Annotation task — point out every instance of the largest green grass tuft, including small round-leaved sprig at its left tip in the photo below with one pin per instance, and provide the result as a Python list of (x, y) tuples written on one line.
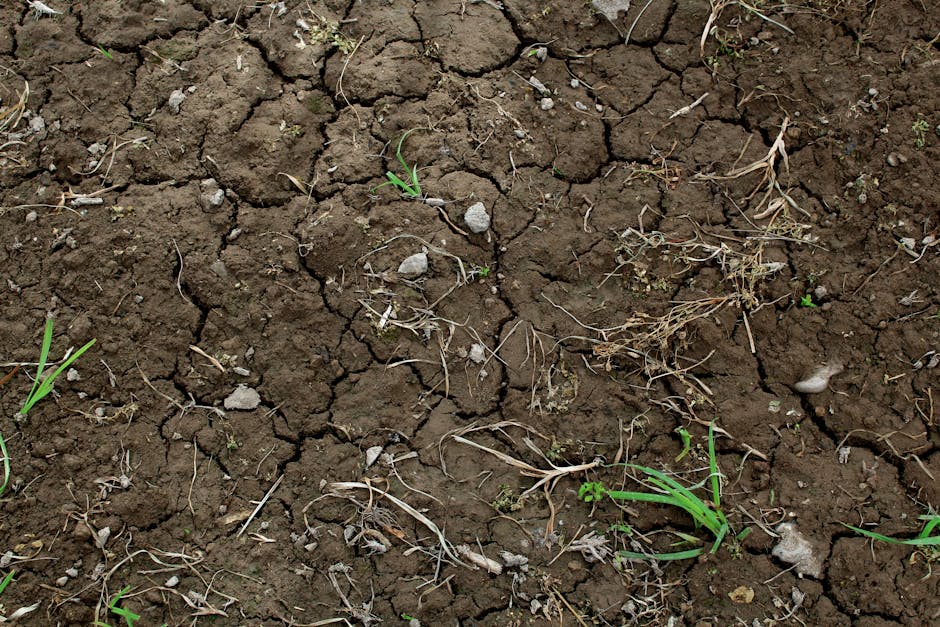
[(705, 513)]
